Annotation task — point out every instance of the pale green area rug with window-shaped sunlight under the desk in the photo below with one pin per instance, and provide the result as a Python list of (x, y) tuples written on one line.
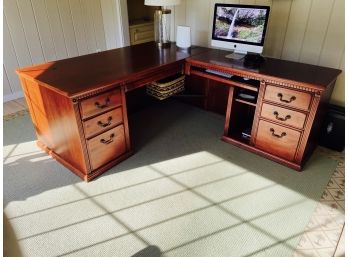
[(184, 192)]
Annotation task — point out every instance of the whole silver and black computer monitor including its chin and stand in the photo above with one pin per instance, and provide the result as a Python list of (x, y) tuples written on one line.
[(241, 28)]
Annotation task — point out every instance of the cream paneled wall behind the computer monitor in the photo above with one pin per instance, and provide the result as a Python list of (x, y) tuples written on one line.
[(308, 31)]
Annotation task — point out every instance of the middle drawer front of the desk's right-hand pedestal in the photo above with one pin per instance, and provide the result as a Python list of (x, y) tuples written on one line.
[(283, 115)]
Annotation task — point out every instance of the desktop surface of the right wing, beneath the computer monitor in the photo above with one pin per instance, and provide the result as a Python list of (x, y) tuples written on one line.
[(314, 76)]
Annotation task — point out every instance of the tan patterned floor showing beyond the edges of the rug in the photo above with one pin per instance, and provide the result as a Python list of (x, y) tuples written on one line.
[(324, 235)]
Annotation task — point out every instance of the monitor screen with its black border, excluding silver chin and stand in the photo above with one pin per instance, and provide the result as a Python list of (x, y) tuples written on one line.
[(240, 23)]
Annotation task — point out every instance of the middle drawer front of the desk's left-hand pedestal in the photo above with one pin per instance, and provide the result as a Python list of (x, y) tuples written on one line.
[(103, 122)]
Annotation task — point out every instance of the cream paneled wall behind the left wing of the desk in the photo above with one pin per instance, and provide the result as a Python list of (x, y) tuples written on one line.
[(37, 31)]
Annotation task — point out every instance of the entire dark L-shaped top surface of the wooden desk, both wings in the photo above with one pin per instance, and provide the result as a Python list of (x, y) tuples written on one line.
[(82, 74)]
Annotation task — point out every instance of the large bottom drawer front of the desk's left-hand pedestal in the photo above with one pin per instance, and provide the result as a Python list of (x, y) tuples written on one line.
[(107, 146)]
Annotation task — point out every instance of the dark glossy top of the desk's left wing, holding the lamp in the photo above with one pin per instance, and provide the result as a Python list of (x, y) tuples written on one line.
[(89, 72)]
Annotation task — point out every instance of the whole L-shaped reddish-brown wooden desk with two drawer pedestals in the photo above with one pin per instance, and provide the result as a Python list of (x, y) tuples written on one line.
[(79, 111)]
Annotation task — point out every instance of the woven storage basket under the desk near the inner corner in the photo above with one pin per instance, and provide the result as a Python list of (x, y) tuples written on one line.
[(167, 87)]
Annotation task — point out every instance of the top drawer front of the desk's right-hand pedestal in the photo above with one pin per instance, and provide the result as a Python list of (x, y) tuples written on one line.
[(288, 97)]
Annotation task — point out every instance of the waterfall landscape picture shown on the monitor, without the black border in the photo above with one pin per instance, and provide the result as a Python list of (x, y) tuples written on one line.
[(243, 24)]
